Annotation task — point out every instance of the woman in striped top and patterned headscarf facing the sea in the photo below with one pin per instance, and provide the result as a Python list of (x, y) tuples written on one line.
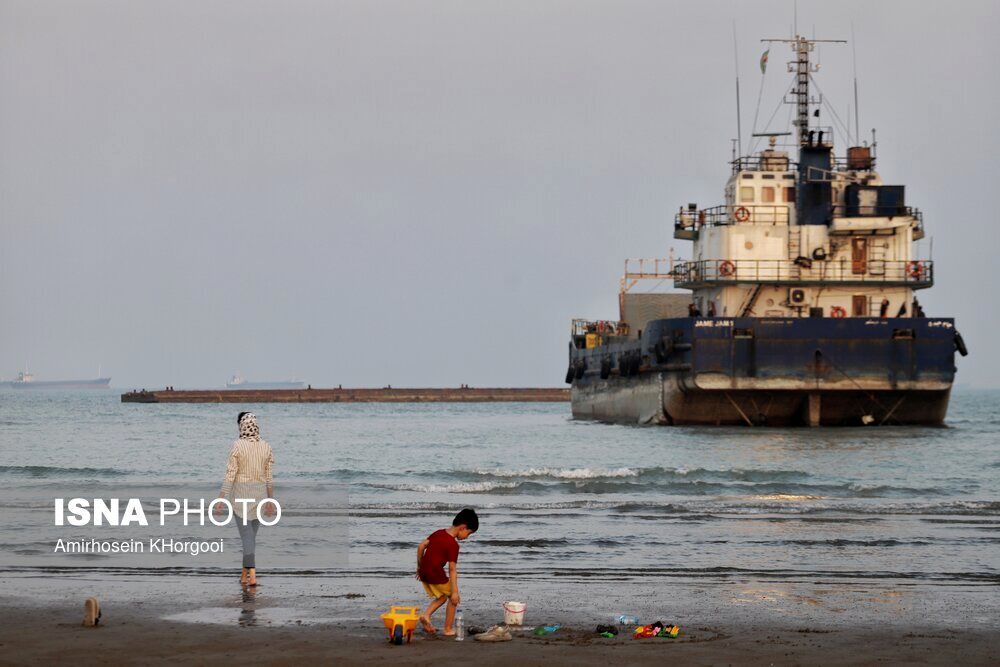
[(248, 475)]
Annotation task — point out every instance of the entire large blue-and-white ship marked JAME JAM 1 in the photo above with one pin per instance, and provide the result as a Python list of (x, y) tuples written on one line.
[(801, 306)]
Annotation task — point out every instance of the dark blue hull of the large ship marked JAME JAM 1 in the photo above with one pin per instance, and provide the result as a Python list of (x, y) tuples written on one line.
[(776, 371)]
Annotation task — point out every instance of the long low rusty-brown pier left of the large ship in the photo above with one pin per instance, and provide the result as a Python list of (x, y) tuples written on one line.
[(339, 395)]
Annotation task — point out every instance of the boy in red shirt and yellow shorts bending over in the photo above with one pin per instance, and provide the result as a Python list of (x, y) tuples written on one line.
[(432, 555)]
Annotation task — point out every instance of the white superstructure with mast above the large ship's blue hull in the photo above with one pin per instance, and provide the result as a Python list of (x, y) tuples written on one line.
[(821, 237)]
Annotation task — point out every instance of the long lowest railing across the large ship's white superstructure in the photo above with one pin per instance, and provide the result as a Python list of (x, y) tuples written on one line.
[(915, 273)]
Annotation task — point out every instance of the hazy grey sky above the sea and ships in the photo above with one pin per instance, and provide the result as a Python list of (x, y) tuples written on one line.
[(425, 192)]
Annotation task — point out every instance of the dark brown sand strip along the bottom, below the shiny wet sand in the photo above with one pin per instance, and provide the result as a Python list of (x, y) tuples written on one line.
[(138, 633)]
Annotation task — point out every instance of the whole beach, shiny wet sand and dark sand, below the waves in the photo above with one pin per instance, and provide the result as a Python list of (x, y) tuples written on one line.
[(289, 620)]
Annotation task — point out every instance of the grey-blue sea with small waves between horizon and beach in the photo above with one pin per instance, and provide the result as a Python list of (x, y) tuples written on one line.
[(570, 511)]
